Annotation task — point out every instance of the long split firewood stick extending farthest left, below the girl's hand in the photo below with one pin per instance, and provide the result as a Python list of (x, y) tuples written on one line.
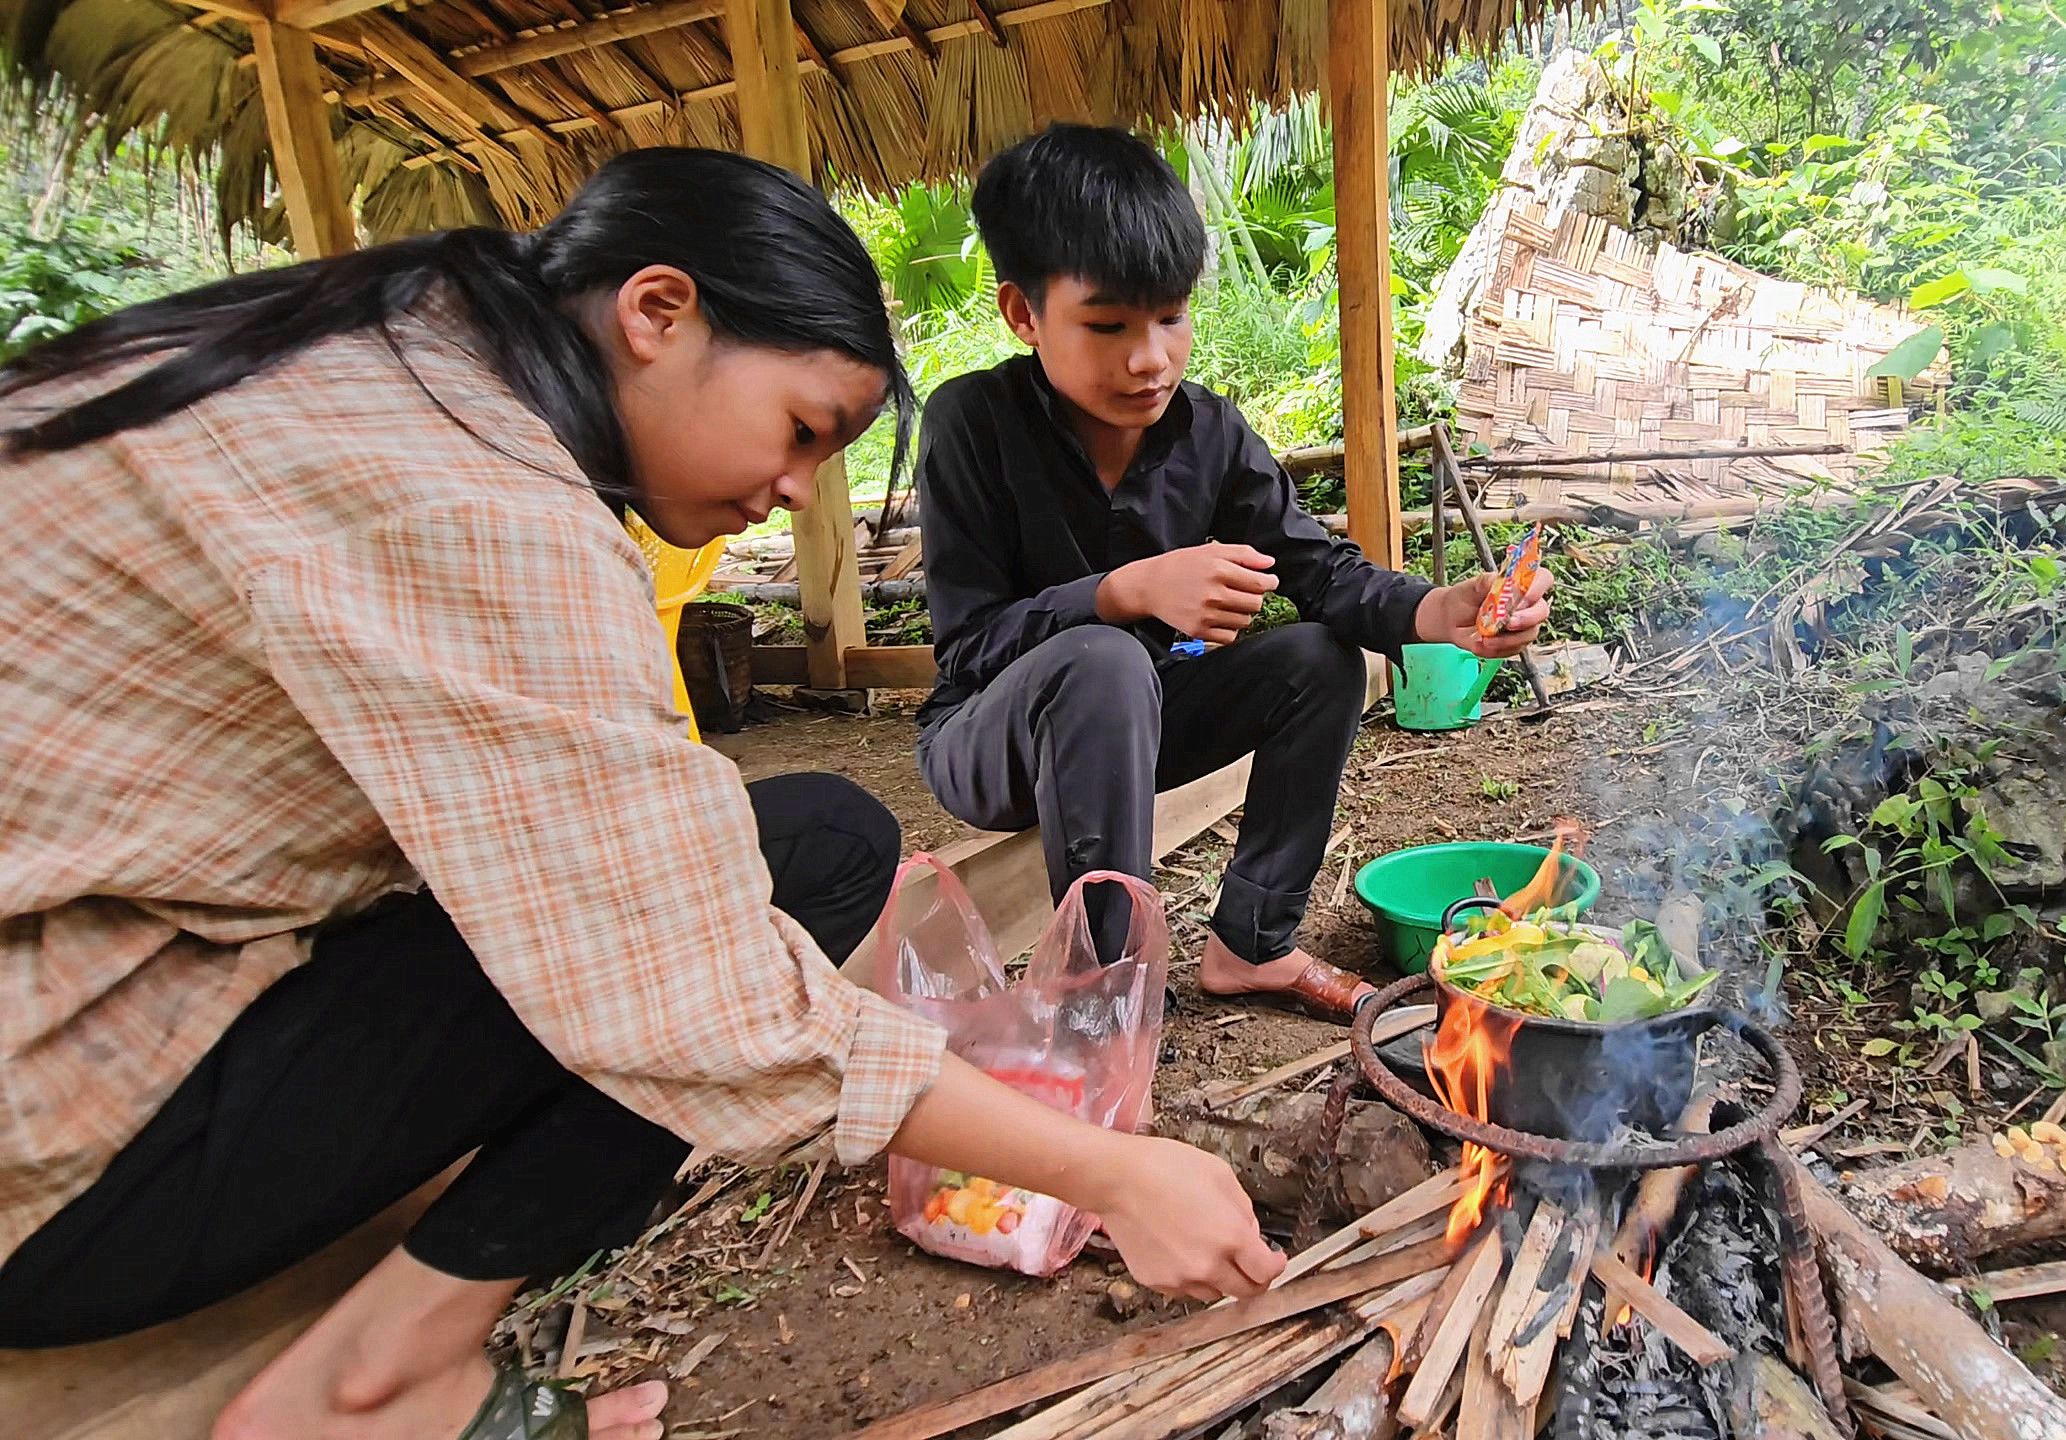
[(1177, 1338)]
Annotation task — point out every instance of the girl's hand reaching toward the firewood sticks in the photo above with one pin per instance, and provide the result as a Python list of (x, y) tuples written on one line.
[(1181, 1220)]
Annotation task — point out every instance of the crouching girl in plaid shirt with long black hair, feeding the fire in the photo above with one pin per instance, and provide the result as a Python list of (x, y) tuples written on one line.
[(348, 834)]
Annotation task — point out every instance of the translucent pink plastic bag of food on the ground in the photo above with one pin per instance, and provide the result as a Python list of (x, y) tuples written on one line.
[(1073, 1034)]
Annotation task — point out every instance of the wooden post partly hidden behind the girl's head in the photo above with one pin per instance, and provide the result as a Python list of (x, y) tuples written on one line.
[(774, 127)]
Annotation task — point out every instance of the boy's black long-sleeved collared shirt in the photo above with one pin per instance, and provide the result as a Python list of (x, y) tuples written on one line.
[(1020, 532)]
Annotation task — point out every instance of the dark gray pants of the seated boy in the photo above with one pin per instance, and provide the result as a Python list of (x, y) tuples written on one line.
[(1084, 730)]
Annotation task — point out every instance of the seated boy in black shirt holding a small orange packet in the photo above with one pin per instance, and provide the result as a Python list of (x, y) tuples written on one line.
[(1086, 511)]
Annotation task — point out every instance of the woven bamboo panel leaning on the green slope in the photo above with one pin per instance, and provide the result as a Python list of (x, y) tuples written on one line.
[(1592, 342)]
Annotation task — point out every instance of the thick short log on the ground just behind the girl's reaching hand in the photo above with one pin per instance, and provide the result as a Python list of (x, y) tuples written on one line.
[(1267, 1141)]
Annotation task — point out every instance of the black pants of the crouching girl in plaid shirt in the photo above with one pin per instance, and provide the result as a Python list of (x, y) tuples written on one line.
[(371, 1069)]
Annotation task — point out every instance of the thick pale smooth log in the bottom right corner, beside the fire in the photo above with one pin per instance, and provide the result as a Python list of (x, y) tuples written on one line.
[(1955, 1369)]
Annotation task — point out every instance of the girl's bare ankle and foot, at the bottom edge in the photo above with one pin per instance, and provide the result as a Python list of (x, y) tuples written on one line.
[(400, 1358)]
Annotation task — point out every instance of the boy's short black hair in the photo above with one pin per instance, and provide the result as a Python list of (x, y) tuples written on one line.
[(1090, 204)]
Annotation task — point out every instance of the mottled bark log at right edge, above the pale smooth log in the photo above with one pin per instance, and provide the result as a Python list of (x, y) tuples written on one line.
[(1949, 1212)]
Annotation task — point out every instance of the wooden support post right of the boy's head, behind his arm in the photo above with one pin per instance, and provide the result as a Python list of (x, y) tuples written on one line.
[(1358, 73)]
